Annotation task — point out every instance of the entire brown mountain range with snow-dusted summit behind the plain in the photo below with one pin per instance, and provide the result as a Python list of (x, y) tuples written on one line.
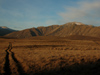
[(68, 29)]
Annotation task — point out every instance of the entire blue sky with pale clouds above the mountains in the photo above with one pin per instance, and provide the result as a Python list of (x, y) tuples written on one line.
[(23, 14)]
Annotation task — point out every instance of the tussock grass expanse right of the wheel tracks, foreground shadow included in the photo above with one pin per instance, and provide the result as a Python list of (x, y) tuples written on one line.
[(57, 57)]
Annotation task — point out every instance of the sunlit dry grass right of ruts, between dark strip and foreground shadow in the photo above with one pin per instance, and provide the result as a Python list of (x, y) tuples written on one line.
[(41, 60)]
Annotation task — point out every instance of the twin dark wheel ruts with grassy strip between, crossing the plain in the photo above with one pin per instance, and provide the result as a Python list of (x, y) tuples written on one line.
[(10, 69)]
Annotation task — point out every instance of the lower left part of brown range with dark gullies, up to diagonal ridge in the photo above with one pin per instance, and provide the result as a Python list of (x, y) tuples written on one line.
[(40, 31)]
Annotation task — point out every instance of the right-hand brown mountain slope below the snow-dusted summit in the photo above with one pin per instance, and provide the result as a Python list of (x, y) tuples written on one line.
[(69, 29)]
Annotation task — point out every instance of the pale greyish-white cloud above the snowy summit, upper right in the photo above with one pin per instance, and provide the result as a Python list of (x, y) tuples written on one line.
[(86, 12)]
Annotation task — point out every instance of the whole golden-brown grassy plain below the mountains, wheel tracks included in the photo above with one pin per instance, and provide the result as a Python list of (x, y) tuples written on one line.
[(49, 56)]
